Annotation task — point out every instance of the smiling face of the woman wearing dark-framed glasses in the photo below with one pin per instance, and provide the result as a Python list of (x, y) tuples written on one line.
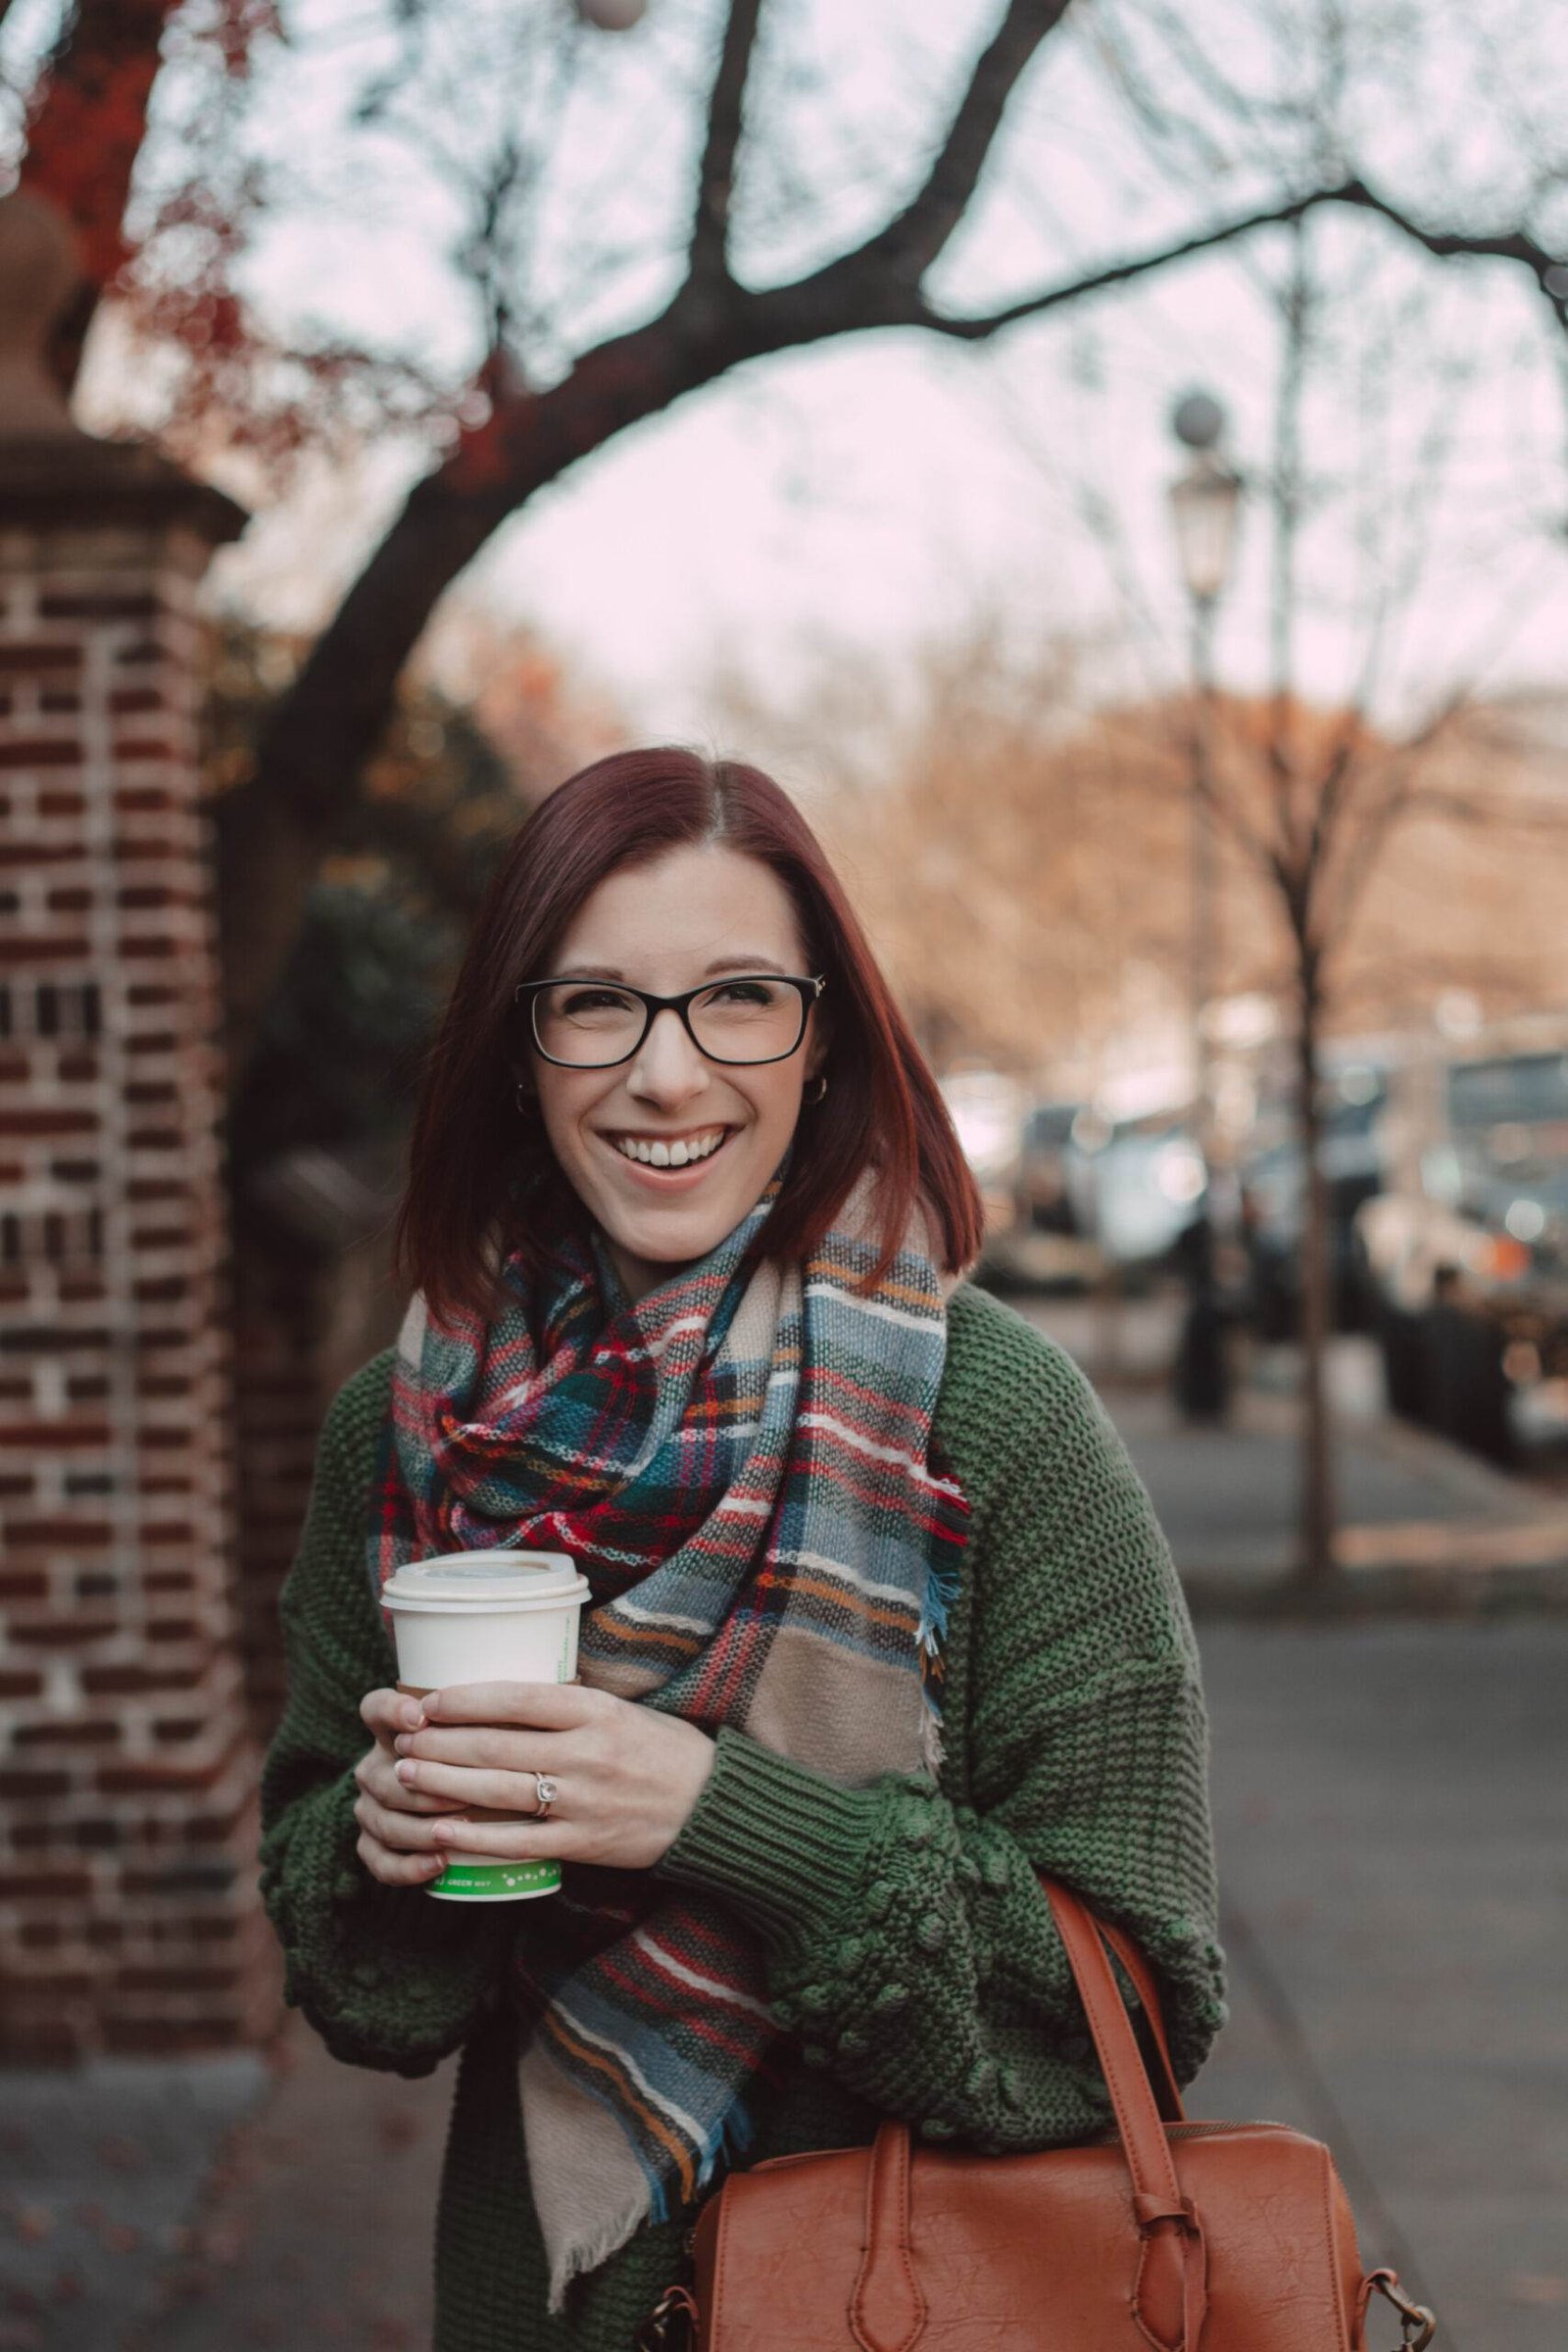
[(671, 926)]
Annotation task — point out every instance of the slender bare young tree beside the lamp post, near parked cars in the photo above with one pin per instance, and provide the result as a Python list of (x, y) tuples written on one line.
[(1311, 801)]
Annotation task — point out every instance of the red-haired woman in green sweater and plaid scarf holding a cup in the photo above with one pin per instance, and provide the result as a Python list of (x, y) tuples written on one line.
[(880, 1619)]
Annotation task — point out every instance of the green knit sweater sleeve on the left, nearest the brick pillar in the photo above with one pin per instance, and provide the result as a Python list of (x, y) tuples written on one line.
[(387, 1977)]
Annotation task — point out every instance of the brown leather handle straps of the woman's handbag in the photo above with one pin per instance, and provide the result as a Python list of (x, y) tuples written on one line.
[(1170, 2294)]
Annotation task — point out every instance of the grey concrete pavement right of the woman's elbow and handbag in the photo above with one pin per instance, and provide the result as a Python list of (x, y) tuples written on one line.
[(1393, 1812)]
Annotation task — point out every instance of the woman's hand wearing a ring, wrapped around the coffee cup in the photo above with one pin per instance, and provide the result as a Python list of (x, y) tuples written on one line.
[(626, 1777)]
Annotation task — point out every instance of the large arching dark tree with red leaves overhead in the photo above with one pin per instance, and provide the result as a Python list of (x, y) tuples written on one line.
[(610, 267)]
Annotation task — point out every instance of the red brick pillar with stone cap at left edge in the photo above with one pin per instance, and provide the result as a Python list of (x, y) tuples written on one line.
[(128, 1911)]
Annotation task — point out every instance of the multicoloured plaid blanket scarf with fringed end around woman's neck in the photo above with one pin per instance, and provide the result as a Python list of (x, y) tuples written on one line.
[(742, 1466)]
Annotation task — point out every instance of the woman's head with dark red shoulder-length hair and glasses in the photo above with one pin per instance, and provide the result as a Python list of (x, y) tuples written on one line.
[(659, 876)]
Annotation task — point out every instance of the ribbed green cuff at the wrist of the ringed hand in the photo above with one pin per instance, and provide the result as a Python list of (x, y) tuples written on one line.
[(775, 1840)]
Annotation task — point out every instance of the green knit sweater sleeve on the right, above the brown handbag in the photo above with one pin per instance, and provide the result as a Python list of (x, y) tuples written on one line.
[(909, 1939)]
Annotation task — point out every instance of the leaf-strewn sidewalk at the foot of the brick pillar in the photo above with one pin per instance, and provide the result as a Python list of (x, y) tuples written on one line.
[(220, 2205)]
